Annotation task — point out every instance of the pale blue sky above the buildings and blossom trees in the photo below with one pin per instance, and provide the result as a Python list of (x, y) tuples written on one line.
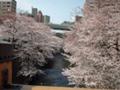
[(58, 10)]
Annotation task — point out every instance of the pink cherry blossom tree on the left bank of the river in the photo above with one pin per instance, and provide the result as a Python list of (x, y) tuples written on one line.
[(33, 43)]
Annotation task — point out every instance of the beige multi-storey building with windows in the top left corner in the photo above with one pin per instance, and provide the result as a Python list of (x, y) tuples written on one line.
[(7, 6)]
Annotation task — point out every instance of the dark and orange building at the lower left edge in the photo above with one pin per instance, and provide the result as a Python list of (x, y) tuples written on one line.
[(6, 64)]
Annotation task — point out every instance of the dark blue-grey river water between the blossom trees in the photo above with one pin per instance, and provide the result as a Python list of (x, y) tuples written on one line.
[(54, 76)]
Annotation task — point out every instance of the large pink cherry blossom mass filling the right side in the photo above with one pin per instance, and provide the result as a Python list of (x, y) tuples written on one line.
[(95, 46)]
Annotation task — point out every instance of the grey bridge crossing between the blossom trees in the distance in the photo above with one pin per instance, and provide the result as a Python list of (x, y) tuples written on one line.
[(60, 27)]
